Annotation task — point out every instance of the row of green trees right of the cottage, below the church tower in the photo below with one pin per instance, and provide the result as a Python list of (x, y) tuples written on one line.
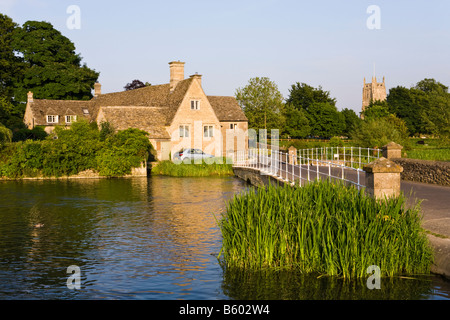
[(312, 112)]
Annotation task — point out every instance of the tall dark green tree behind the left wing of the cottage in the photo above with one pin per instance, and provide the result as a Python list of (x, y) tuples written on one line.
[(52, 68)]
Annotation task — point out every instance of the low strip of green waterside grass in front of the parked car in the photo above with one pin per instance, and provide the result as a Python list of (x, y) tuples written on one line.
[(168, 168)]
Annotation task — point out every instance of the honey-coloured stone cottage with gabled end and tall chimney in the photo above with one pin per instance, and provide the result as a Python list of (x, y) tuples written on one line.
[(176, 115)]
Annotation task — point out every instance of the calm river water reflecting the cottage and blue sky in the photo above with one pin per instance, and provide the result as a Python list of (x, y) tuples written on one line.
[(147, 238)]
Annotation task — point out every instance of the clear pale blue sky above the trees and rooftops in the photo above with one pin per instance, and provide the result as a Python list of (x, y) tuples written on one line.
[(321, 42)]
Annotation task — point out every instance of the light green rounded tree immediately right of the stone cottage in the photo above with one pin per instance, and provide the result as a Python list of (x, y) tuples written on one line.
[(262, 103)]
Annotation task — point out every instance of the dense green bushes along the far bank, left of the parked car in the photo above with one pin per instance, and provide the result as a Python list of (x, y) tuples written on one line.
[(68, 152)]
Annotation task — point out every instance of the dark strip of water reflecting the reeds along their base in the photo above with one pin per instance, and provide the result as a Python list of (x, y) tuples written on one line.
[(288, 285)]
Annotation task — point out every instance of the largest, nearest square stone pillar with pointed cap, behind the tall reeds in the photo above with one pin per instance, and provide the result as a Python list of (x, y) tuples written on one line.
[(383, 178)]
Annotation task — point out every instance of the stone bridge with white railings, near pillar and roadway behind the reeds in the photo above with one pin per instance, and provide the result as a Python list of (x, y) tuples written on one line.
[(262, 165)]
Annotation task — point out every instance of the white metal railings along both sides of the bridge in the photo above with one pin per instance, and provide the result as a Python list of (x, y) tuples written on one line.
[(299, 167)]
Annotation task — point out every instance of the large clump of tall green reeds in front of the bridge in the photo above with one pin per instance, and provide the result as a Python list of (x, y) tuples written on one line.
[(324, 228)]
